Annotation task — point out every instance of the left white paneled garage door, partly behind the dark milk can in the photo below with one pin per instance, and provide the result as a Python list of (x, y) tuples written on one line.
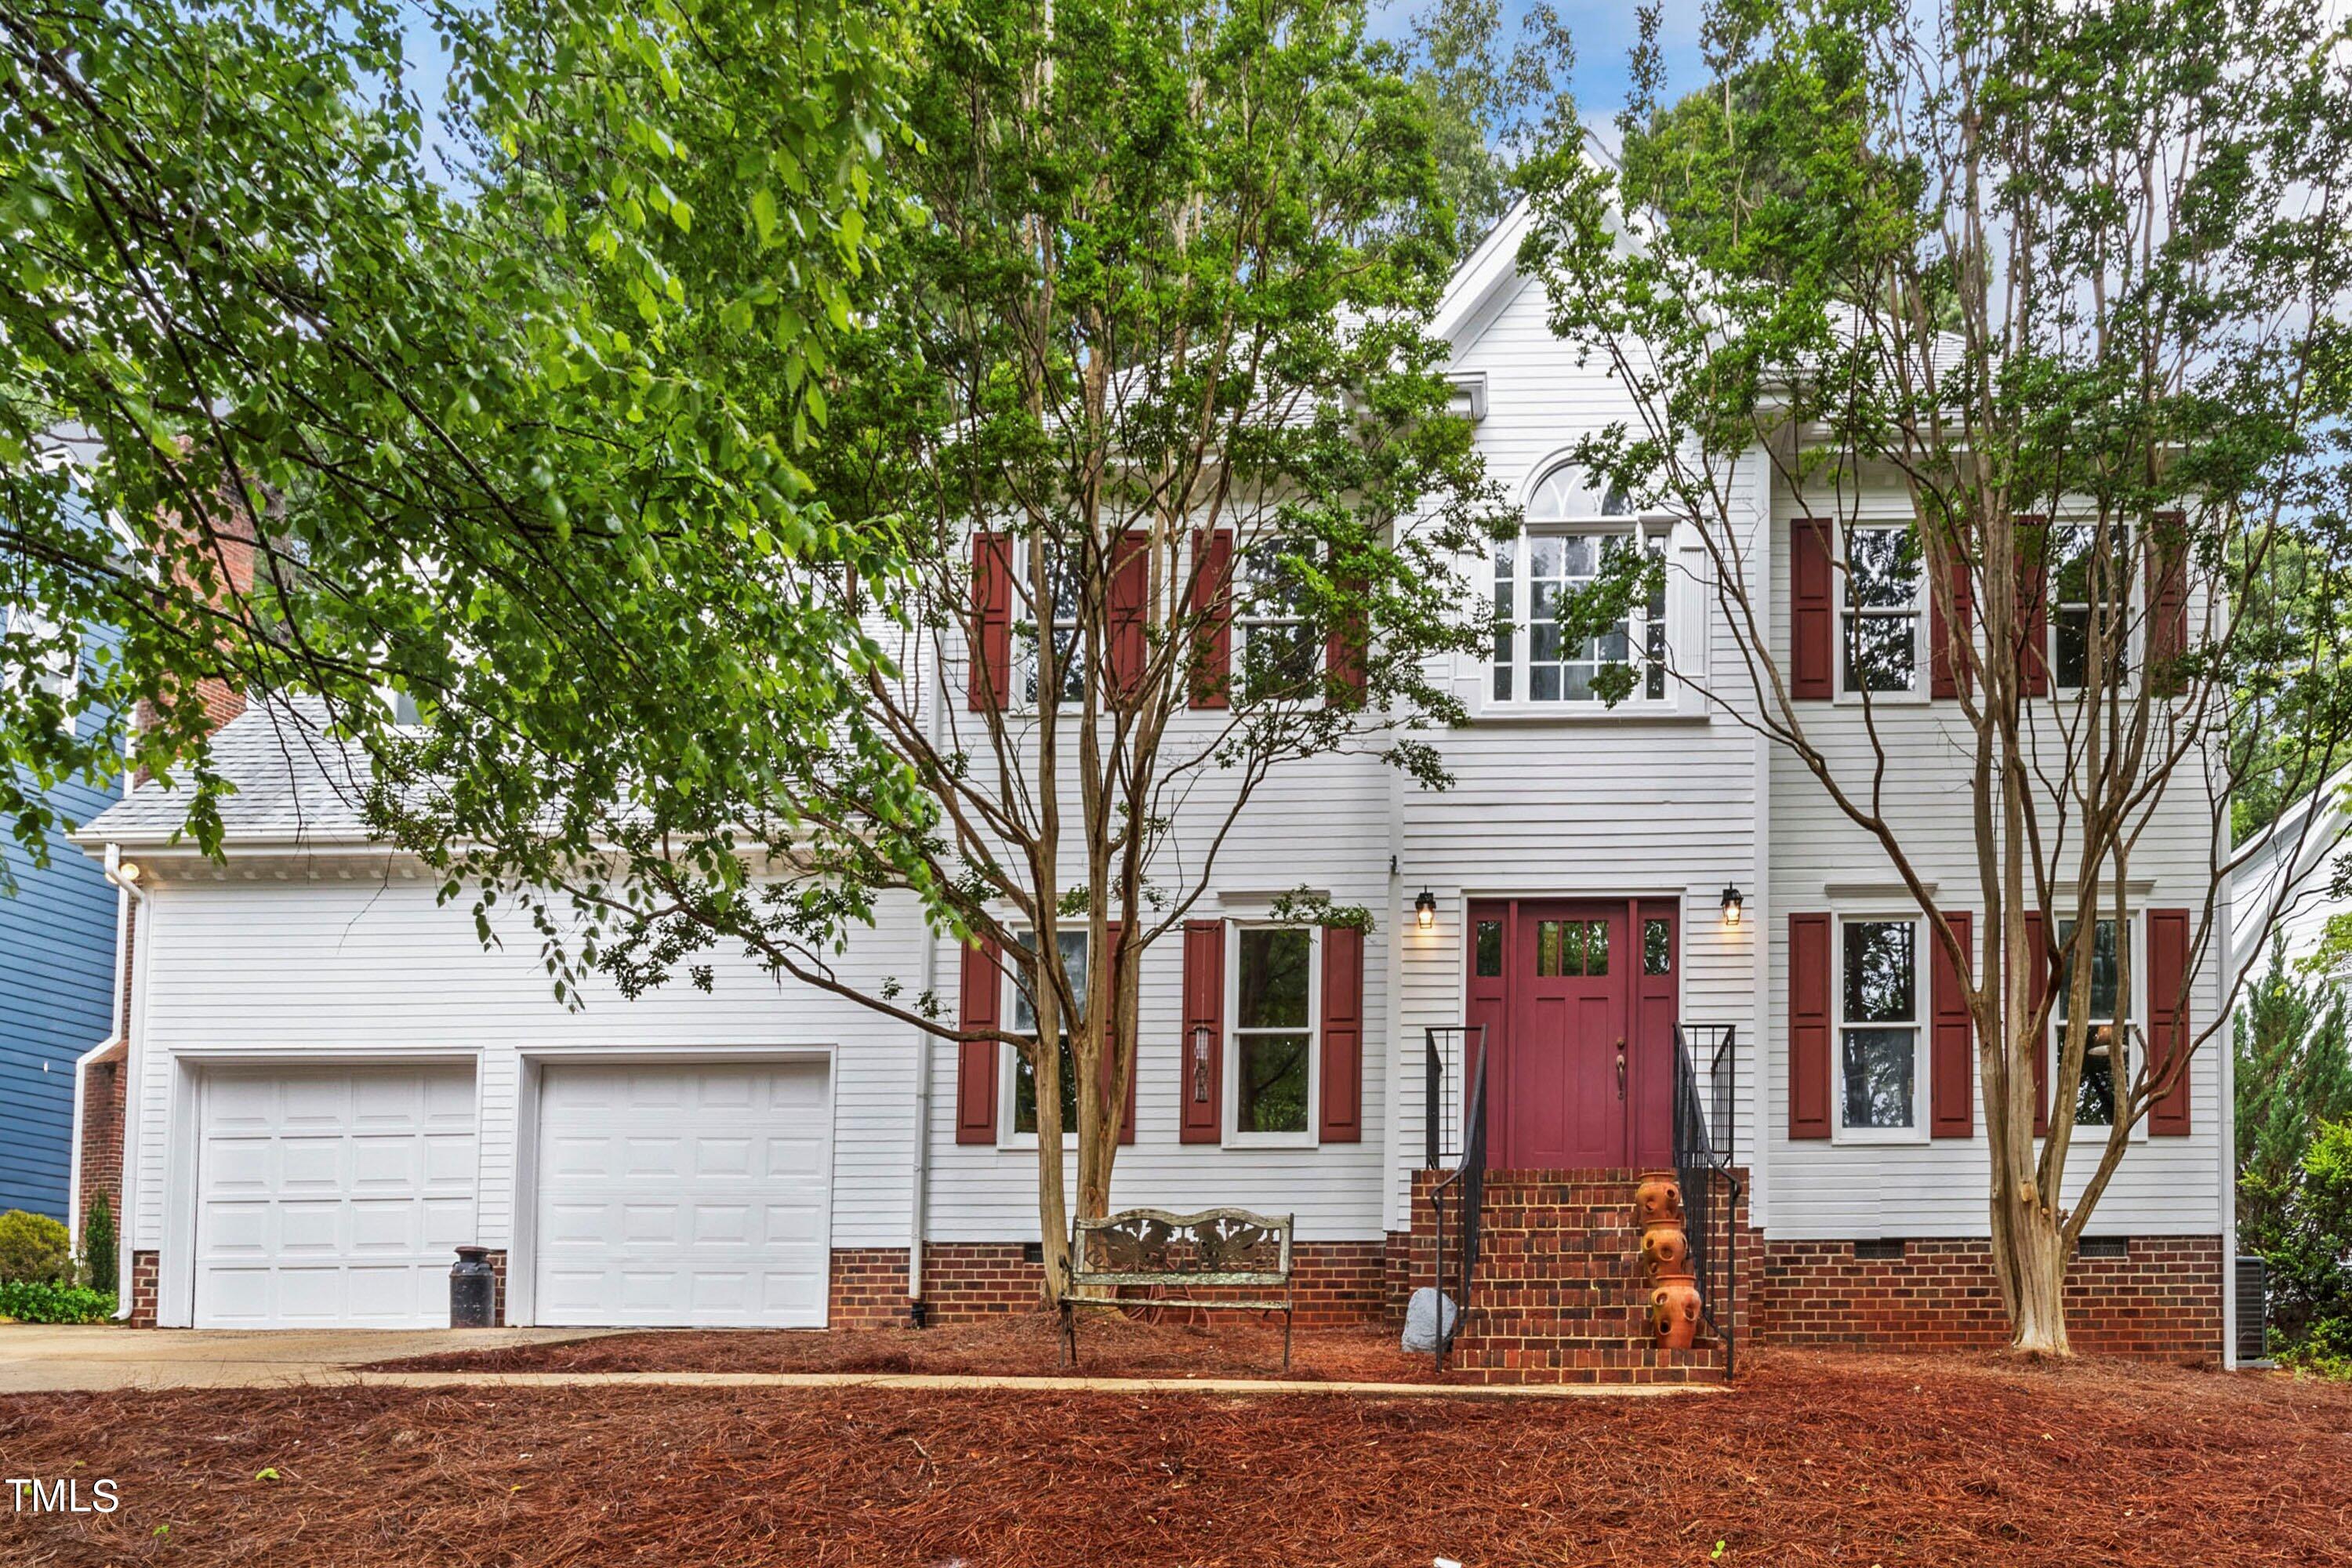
[(333, 1198)]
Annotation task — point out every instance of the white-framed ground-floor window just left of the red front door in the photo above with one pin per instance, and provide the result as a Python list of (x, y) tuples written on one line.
[(1274, 1005)]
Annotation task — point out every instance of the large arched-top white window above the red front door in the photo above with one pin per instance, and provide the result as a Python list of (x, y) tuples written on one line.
[(1572, 535)]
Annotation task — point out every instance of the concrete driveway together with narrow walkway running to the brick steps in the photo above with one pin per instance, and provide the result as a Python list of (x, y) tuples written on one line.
[(53, 1360)]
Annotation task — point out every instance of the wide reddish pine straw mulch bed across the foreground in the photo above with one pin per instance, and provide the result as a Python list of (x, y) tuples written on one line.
[(1812, 1461)]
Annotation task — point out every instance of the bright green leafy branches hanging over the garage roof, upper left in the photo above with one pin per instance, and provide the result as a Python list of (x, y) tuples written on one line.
[(286, 413)]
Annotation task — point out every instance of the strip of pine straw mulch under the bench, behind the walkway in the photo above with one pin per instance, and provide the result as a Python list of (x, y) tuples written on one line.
[(1020, 1346)]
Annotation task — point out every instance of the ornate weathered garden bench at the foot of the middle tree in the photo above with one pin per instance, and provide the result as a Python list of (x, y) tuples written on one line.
[(1217, 1249)]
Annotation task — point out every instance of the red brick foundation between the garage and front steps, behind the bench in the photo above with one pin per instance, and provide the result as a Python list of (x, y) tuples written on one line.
[(1337, 1285)]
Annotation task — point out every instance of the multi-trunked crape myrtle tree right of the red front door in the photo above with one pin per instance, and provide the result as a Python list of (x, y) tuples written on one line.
[(2071, 281)]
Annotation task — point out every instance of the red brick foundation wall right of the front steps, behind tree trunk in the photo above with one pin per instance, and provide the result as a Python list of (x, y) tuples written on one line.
[(2163, 1304)]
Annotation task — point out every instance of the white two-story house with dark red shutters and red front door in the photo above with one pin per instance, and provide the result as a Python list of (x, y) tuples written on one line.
[(333, 1083)]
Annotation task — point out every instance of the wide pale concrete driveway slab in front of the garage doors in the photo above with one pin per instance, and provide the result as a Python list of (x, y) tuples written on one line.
[(41, 1360)]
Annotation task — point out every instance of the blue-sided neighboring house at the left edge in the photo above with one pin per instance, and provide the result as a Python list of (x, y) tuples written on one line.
[(58, 972)]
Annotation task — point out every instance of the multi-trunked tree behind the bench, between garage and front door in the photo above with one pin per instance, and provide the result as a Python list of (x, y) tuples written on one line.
[(1144, 406)]
